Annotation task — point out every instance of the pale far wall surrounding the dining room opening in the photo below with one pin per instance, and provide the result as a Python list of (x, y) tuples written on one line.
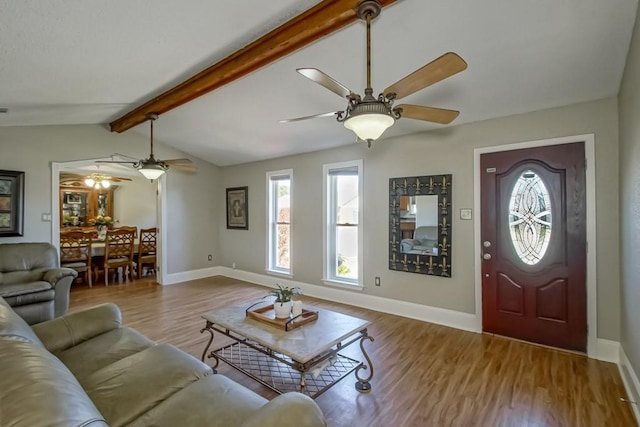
[(192, 198)]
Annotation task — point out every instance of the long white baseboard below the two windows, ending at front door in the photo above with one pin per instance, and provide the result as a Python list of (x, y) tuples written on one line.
[(440, 316)]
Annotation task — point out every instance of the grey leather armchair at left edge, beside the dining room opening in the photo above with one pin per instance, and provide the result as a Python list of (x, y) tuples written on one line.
[(32, 282)]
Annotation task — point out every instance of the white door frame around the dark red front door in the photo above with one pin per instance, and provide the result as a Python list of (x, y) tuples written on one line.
[(589, 151)]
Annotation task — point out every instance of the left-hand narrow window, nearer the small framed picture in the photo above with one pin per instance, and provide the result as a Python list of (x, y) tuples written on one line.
[(279, 221)]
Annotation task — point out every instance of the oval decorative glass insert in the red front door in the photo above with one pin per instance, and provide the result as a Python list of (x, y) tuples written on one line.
[(530, 217)]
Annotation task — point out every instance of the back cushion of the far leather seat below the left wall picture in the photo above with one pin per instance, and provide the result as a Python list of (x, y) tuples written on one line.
[(26, 262)]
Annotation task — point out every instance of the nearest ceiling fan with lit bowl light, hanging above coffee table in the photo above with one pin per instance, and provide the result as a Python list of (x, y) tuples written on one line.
[(369, 117)]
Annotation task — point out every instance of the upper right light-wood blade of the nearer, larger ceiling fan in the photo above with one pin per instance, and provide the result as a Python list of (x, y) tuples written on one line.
[(439, 69)]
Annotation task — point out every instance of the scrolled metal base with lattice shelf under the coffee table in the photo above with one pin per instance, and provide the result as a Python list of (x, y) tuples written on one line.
[(281, 374)]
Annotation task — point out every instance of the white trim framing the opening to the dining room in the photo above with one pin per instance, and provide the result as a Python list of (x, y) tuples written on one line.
[(161, 208)]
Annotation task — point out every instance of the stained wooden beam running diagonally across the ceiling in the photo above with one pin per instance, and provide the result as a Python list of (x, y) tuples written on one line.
[(321, 20)]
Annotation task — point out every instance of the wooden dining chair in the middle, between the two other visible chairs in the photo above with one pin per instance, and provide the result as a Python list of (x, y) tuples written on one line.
[(119, 250)]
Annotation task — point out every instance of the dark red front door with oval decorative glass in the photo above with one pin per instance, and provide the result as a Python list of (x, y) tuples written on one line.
[(534, 245)]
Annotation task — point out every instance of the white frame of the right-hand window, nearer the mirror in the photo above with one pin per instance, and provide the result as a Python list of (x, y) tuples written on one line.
[(329, 225)]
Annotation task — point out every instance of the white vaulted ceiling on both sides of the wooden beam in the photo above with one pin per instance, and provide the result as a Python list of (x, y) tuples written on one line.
[(90, 61)]
